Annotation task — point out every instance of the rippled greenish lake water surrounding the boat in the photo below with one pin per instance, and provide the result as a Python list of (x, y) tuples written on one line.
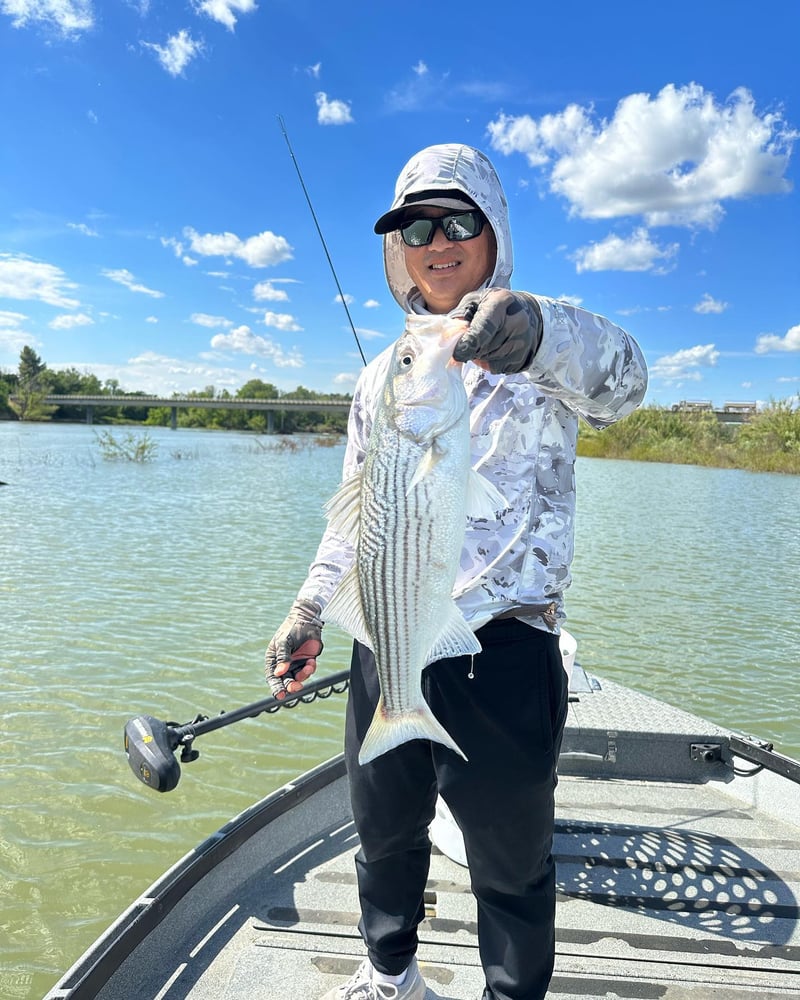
[(130, 588)]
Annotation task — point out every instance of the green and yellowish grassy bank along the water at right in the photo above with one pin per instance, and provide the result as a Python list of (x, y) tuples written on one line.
[(768, 442)]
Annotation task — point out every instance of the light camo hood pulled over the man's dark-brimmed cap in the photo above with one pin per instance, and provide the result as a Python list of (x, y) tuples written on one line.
[(452, 169)]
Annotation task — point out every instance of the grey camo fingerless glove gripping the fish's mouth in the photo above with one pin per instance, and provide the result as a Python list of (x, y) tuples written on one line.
[(505, 329)]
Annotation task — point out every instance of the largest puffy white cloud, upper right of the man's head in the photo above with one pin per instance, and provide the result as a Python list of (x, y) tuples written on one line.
[(673, 159)]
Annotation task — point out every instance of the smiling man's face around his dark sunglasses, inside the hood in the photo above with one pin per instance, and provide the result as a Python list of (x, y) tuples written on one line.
[(445, 271)]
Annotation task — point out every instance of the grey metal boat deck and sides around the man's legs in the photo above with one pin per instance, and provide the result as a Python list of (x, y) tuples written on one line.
[(675, 889)]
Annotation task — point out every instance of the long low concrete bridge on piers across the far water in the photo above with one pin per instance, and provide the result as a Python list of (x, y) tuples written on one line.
[(175, 403)]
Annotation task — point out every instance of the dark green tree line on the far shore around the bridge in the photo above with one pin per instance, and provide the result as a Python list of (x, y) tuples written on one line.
[(34, 381)]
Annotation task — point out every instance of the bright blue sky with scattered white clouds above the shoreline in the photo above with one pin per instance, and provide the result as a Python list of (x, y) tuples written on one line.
[(153, 229)]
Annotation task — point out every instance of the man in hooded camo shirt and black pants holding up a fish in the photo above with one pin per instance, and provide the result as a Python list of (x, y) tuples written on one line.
[(533, 366)]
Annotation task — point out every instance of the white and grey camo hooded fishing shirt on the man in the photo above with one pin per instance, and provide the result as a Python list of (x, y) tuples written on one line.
[(524, 427)]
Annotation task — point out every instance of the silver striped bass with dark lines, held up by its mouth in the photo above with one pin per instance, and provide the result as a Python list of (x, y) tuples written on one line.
[(405, 513)]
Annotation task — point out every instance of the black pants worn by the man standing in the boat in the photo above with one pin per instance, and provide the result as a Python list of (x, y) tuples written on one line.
[(508, 720)]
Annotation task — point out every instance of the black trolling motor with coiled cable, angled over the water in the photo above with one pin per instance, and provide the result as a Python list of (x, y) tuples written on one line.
[(150, 743)]
